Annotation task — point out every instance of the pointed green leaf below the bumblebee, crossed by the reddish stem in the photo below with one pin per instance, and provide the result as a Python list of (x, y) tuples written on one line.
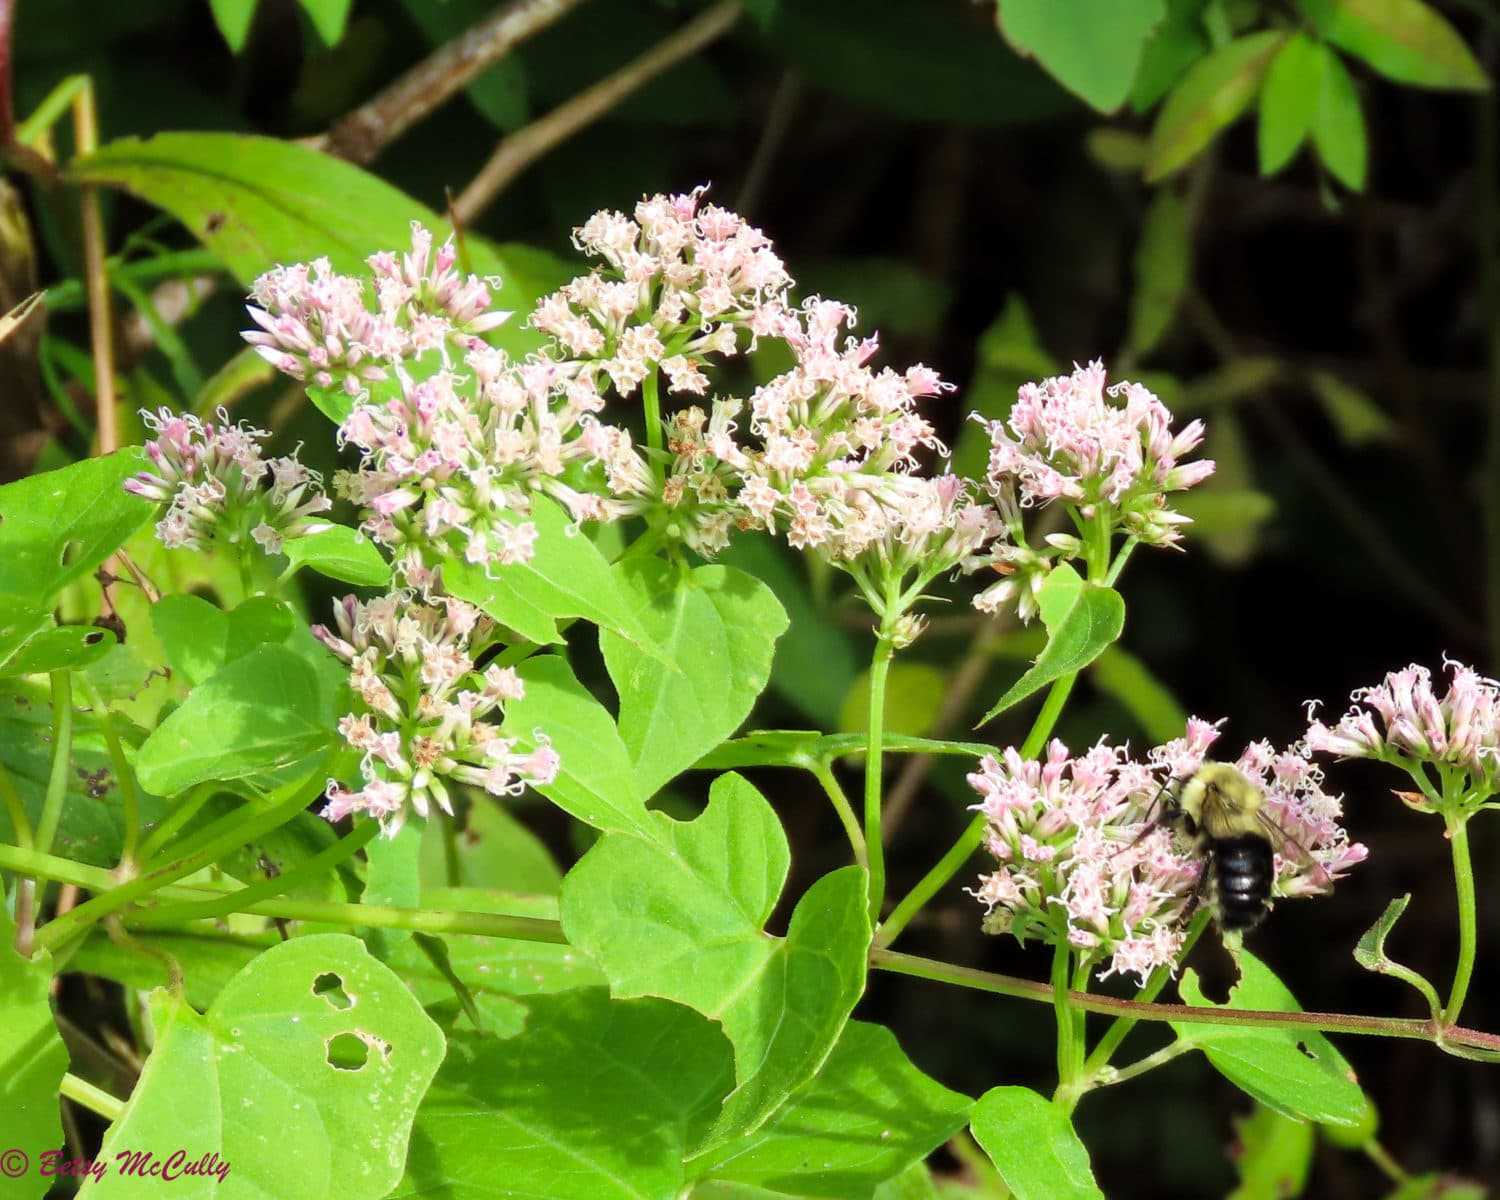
[(1294, 1070)]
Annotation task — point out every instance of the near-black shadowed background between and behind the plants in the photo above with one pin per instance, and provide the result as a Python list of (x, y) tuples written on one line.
[(931, 178)]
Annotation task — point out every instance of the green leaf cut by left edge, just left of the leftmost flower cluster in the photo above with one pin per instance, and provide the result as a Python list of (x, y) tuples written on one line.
[(59, 526)]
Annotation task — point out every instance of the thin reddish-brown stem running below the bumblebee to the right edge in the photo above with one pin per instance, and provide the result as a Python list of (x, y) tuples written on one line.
[(1453, 1039)]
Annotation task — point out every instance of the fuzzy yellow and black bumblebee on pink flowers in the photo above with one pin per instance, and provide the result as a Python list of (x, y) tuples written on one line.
[(1220, 809)]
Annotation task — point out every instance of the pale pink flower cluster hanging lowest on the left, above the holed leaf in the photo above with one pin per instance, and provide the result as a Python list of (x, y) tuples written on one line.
[(425, 712)]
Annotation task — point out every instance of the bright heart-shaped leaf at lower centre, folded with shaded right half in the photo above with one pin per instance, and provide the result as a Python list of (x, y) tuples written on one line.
[(679, 911)]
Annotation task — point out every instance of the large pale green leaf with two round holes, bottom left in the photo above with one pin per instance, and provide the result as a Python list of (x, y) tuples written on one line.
[(301, 1081)]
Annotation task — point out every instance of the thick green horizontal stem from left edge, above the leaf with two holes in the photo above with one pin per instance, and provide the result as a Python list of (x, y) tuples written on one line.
[(485, 925)]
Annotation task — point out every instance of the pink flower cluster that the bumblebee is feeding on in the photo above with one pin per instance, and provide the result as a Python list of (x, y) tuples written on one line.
[(1085, 863)]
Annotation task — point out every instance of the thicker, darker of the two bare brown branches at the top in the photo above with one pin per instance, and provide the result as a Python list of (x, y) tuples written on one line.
[(361, 136)]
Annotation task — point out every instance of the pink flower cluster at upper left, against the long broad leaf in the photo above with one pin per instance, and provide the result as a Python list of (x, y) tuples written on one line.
[(317, 326)]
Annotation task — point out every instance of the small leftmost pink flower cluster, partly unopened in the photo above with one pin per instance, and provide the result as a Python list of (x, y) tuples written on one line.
[(220, 488)]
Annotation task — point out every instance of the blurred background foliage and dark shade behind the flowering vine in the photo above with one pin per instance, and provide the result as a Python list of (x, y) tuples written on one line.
[(1283, 217)]
